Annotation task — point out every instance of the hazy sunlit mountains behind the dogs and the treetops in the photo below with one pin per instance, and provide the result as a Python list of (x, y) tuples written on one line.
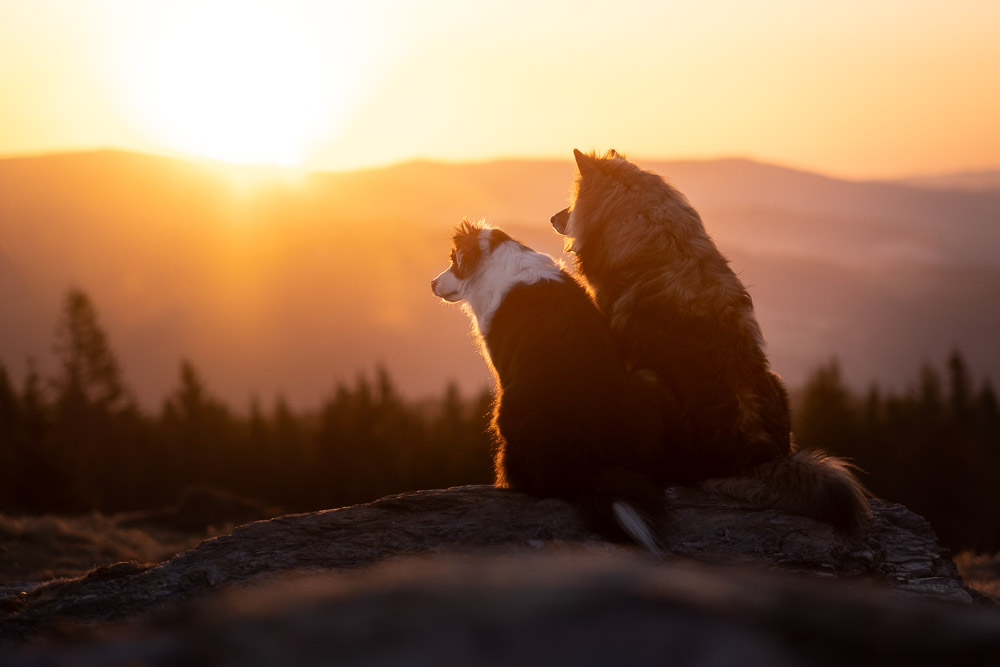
[(269, 282)]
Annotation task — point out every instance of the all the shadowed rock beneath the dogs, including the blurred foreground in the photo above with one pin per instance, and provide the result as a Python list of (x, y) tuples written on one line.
[(296, 584)]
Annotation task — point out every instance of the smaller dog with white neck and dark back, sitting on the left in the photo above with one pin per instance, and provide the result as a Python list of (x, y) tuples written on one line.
[(570, 421)]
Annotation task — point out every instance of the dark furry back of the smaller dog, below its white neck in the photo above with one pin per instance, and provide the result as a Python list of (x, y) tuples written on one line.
[(565, 406)]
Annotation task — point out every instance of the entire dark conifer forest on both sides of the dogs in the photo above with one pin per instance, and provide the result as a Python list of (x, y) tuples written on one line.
[(80, 442)]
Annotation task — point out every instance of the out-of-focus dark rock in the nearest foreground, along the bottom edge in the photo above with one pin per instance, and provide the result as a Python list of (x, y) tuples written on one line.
[(570, 606)]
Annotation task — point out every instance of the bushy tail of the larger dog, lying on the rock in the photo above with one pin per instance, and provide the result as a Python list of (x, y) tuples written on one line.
[(808, 482)]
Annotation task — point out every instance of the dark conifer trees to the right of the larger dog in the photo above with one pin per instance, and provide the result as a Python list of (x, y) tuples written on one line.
[(934, 447)]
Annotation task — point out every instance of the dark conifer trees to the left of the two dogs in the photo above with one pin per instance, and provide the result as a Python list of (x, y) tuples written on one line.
[(78, 441)]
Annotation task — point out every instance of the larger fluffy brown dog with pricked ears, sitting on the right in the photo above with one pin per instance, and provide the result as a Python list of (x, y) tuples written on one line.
[(677, 309)]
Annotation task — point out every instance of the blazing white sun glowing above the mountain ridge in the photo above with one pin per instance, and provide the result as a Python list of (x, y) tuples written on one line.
[(244, 82)]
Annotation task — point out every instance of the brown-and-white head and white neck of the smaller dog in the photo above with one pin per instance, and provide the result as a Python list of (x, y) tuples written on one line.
[(485, 263)]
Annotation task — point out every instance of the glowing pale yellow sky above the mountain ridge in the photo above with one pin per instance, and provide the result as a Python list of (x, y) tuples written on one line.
[(854, 89)]
